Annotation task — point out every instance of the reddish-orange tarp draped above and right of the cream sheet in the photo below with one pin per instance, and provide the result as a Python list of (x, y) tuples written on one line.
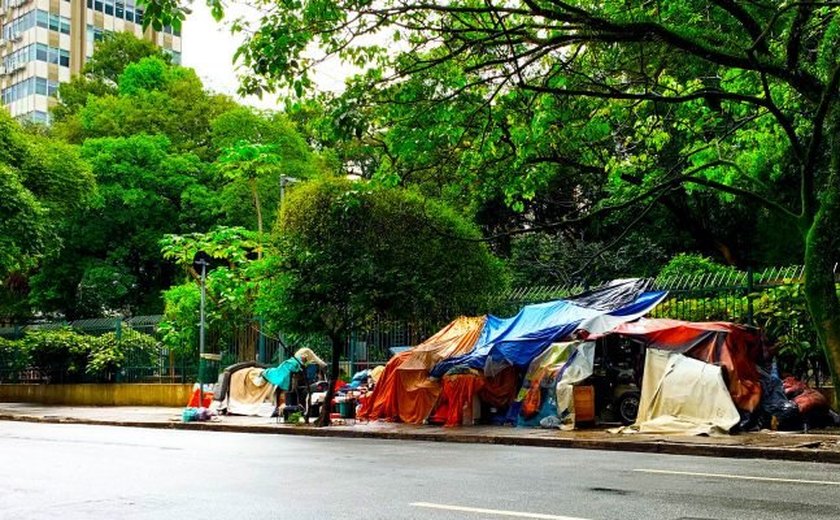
[(737, 348)]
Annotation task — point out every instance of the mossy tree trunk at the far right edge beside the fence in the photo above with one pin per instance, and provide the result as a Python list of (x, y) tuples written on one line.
[(821, 245)]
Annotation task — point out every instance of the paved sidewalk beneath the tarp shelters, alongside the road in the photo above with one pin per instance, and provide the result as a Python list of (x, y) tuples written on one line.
[(813, 447)]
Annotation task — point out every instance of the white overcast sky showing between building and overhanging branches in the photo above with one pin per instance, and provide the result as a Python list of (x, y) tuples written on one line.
[(208, 47)]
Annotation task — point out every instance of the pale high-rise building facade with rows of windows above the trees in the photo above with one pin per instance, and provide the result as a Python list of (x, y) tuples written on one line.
[(46, 42)]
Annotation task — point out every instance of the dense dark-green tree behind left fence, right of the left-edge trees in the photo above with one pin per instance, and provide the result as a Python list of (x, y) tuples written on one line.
[(111, 257)]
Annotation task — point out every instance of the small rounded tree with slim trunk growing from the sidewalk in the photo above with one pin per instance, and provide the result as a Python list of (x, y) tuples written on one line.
[(345, 251)]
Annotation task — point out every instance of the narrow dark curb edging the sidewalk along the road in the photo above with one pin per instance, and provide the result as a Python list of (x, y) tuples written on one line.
[(658, 446)]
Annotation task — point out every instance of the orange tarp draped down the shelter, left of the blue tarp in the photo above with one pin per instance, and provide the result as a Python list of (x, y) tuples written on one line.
[(404, 391)]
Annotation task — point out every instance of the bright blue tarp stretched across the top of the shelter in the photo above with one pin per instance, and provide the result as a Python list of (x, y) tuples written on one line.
[(518, 340)]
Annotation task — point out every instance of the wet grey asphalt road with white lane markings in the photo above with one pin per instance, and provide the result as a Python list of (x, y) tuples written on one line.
[(91, 472)]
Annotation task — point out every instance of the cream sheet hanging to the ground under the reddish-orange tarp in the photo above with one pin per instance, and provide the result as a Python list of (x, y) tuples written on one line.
[(681, 395)]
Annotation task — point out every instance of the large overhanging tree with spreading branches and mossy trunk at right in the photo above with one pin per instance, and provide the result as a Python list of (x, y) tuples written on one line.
[(754, 84)]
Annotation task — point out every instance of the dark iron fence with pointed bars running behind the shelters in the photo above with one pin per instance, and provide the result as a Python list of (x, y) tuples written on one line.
[(731, 295)]
